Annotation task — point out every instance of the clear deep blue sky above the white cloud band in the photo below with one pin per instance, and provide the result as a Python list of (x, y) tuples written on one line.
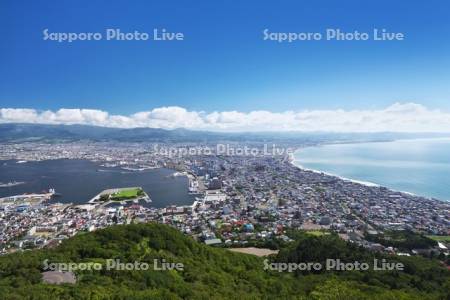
[(223, 64)]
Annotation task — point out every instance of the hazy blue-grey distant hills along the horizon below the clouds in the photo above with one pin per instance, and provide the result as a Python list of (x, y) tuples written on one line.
[(13, 132)]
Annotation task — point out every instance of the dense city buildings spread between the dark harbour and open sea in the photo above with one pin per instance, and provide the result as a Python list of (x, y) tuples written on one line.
[(246, 198)]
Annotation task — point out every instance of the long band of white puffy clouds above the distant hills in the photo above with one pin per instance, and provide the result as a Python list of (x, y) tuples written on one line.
[(399, 117)]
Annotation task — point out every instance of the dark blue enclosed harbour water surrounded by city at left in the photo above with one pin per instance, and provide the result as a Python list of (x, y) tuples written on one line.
[(78, 181)]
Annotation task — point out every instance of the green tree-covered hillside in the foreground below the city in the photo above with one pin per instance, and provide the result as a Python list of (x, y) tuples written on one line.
[(211, 273)]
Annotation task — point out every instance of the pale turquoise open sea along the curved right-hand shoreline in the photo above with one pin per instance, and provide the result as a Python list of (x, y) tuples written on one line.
[(420, 166)]
